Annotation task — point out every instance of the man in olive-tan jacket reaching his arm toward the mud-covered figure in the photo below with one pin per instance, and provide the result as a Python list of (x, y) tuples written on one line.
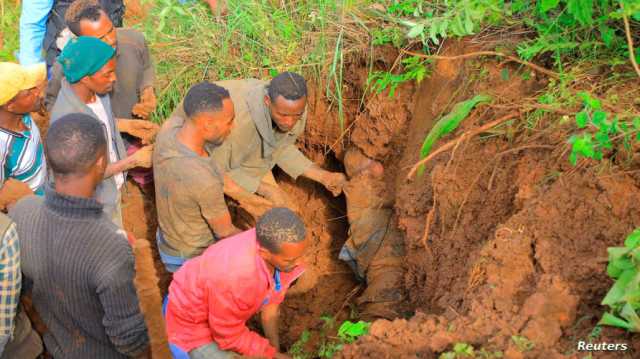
[(270, 116)]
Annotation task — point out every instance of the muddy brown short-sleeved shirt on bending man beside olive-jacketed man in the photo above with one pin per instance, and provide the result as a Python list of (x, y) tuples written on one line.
[(189, 190)]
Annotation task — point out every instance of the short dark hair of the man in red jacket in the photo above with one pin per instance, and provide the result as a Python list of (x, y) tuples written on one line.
[(279, 225)]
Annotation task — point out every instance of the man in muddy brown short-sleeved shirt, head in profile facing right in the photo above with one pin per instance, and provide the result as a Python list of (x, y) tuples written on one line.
[(192, 212)]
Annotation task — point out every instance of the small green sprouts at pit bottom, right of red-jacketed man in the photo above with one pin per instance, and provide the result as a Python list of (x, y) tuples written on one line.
[(348, 332)]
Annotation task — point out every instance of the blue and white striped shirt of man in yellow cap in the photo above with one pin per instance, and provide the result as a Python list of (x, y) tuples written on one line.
[(22, 156)]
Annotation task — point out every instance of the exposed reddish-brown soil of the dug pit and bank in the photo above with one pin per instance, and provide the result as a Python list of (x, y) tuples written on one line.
[(505, 241)]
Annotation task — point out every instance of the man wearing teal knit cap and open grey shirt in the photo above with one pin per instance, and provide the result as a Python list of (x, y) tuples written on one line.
[(89, 66)]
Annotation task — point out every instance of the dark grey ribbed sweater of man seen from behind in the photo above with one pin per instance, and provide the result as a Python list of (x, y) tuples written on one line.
[(81, 268)]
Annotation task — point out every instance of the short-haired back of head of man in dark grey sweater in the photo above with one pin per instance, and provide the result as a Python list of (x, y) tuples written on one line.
[(73, 144)]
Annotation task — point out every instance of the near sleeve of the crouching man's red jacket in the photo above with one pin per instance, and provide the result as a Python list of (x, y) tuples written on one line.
[(228, 314)]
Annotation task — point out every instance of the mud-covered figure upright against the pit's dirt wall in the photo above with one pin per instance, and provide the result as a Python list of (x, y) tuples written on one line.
[(374, 249)]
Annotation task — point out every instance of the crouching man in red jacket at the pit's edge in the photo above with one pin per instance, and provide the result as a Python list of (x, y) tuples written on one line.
[(213, 295)]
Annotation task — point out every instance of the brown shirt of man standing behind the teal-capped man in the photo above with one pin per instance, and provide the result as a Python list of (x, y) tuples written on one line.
[(134, 73)]
